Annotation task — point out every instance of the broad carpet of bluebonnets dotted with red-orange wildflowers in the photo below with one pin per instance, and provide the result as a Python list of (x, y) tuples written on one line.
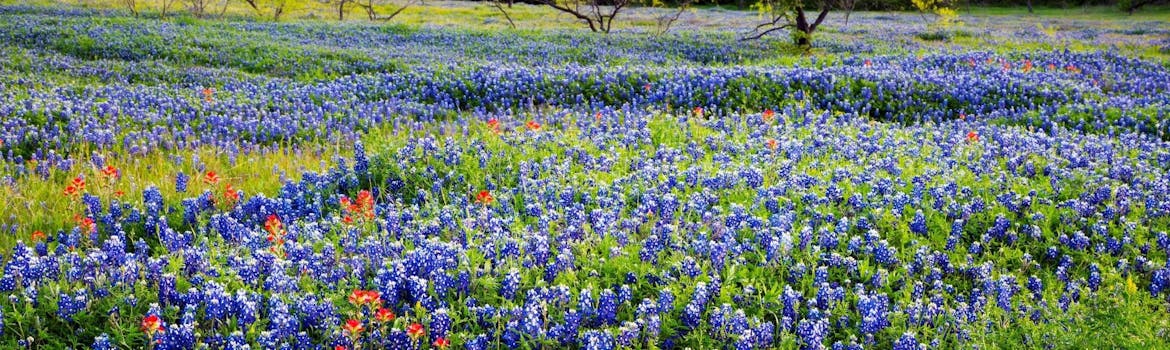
[(683, 198)]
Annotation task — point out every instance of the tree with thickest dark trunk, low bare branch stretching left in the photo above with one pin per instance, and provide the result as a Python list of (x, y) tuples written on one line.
[(790, 15)]
